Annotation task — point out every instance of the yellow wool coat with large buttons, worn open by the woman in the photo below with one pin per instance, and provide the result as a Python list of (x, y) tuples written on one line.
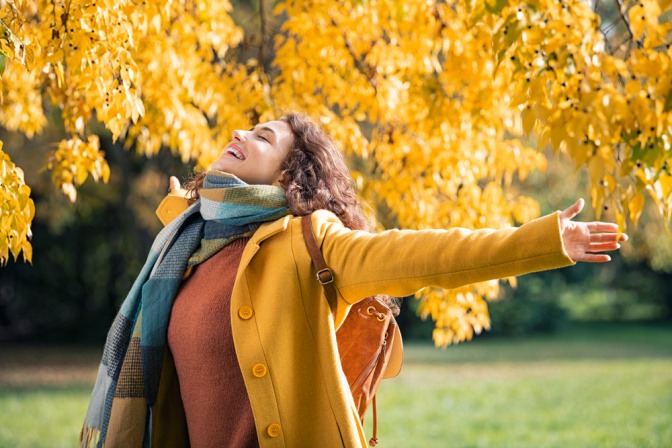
[(282, 325)]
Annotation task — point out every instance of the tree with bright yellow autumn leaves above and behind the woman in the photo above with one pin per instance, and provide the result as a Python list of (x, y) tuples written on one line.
[(430, 100)]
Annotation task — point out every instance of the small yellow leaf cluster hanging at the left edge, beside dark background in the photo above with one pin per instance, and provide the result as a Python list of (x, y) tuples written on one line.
[(16, 214)]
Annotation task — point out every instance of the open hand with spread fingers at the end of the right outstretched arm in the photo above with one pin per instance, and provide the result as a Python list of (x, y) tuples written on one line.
[(582, 239)]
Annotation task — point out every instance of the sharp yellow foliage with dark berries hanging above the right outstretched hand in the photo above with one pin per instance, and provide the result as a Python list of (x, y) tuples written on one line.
[(609, 108)]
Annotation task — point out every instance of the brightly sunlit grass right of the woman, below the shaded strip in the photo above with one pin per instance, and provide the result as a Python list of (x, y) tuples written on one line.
[(532, 404)]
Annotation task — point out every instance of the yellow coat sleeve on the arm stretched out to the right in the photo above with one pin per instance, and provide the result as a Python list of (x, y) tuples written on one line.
[(400, 262)]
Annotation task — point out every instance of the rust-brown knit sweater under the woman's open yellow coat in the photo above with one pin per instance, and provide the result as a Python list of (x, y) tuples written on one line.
[(199, 336)]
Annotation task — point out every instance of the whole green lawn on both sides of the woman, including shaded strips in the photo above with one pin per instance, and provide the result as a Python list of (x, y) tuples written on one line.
[(589, 386)]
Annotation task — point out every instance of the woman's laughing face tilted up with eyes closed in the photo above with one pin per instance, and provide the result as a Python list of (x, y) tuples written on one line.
[(255, 156)]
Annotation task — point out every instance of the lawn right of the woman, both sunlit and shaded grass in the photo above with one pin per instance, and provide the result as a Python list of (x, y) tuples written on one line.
[(593, 386)]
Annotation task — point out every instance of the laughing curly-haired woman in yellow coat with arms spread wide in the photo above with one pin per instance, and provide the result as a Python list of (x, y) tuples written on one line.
[(226, 338)]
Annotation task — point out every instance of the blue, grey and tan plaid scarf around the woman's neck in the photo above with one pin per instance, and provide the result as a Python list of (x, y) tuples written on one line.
[(227, 209)]
